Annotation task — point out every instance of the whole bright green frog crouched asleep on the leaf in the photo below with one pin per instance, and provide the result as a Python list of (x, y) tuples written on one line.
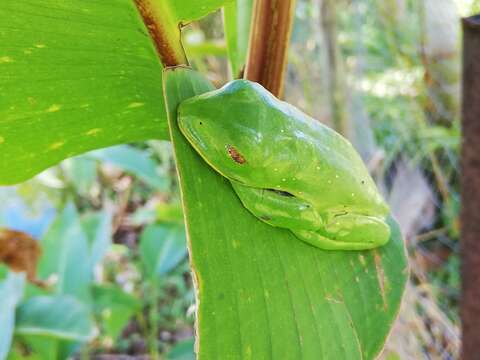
[(288, 169)]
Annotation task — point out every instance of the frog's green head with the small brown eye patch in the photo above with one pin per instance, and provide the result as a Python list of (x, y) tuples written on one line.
[(228, 127)]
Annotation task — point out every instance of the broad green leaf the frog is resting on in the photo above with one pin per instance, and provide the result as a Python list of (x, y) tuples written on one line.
[(264, 294)]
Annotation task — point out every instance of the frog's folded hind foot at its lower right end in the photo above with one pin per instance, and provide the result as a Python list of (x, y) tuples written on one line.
[(348, 232)]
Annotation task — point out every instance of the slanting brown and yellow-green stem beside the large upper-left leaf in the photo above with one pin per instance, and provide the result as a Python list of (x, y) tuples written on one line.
[(164, 31)]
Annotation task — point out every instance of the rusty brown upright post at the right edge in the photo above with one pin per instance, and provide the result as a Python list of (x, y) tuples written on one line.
[(470, 213)]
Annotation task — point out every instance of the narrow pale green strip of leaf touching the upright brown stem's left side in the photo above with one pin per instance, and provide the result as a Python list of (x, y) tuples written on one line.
[(237, 17)]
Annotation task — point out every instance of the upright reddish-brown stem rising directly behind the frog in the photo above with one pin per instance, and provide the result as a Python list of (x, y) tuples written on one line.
[(269, 38)]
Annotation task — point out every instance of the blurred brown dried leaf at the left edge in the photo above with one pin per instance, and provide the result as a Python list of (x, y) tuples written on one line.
[(20, 253)]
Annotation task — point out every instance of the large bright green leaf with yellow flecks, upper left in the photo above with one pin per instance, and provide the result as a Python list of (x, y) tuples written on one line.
[(74, 76)]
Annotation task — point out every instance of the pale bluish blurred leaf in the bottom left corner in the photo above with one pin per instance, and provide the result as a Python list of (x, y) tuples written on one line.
[(11, 292)]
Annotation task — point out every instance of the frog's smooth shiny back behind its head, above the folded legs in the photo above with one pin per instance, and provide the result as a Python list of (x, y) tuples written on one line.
[(328, 167)]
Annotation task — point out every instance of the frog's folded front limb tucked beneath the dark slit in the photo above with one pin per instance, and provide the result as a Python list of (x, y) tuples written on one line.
[(278, 208)]
